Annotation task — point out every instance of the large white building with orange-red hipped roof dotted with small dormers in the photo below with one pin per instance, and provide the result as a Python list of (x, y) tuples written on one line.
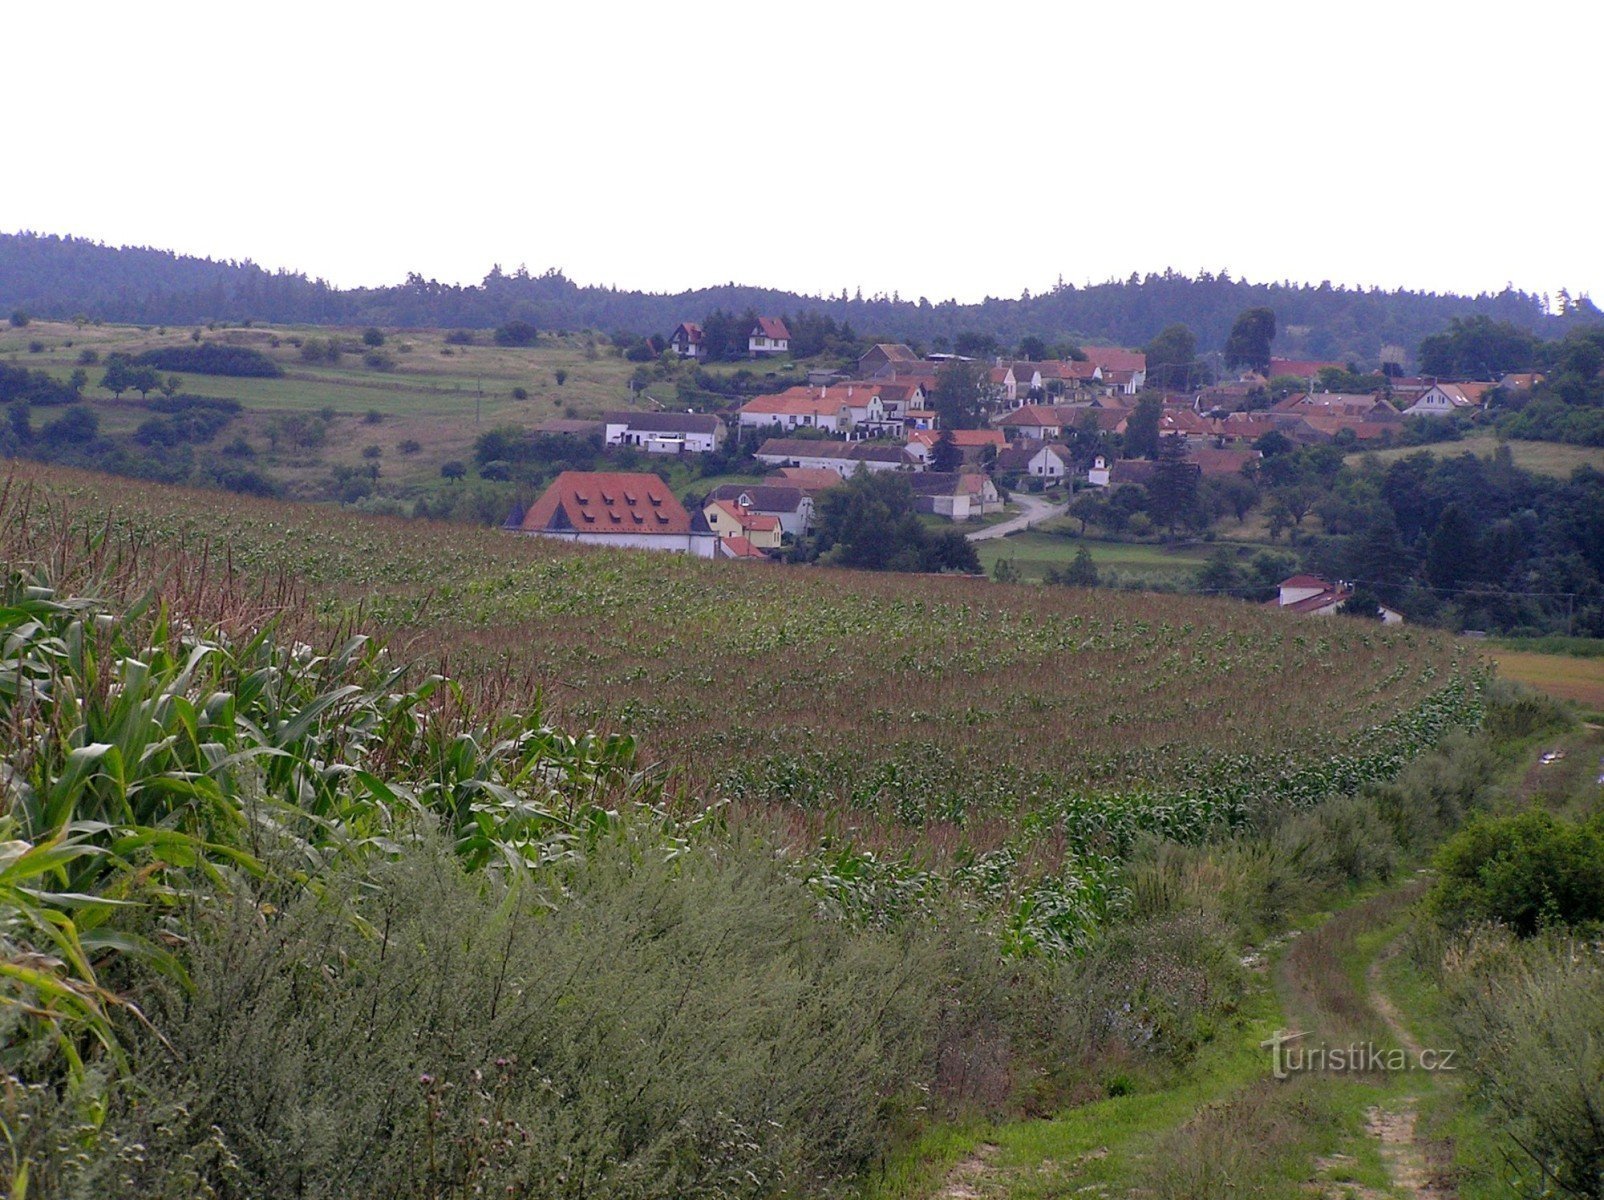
[(617, 509)]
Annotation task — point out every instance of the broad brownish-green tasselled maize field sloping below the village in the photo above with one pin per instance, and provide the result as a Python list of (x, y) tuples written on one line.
[(921, 700)]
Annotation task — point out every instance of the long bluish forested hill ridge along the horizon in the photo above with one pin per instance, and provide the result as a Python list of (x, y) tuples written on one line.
[(68, 277)]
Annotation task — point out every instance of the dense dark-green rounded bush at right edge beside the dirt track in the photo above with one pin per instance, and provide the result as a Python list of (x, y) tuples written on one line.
[(1528, 872)]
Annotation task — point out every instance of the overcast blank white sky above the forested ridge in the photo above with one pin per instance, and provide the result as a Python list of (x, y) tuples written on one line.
[(931, 150)]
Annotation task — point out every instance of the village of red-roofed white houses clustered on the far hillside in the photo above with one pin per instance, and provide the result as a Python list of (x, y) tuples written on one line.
[(1045, 431)]
